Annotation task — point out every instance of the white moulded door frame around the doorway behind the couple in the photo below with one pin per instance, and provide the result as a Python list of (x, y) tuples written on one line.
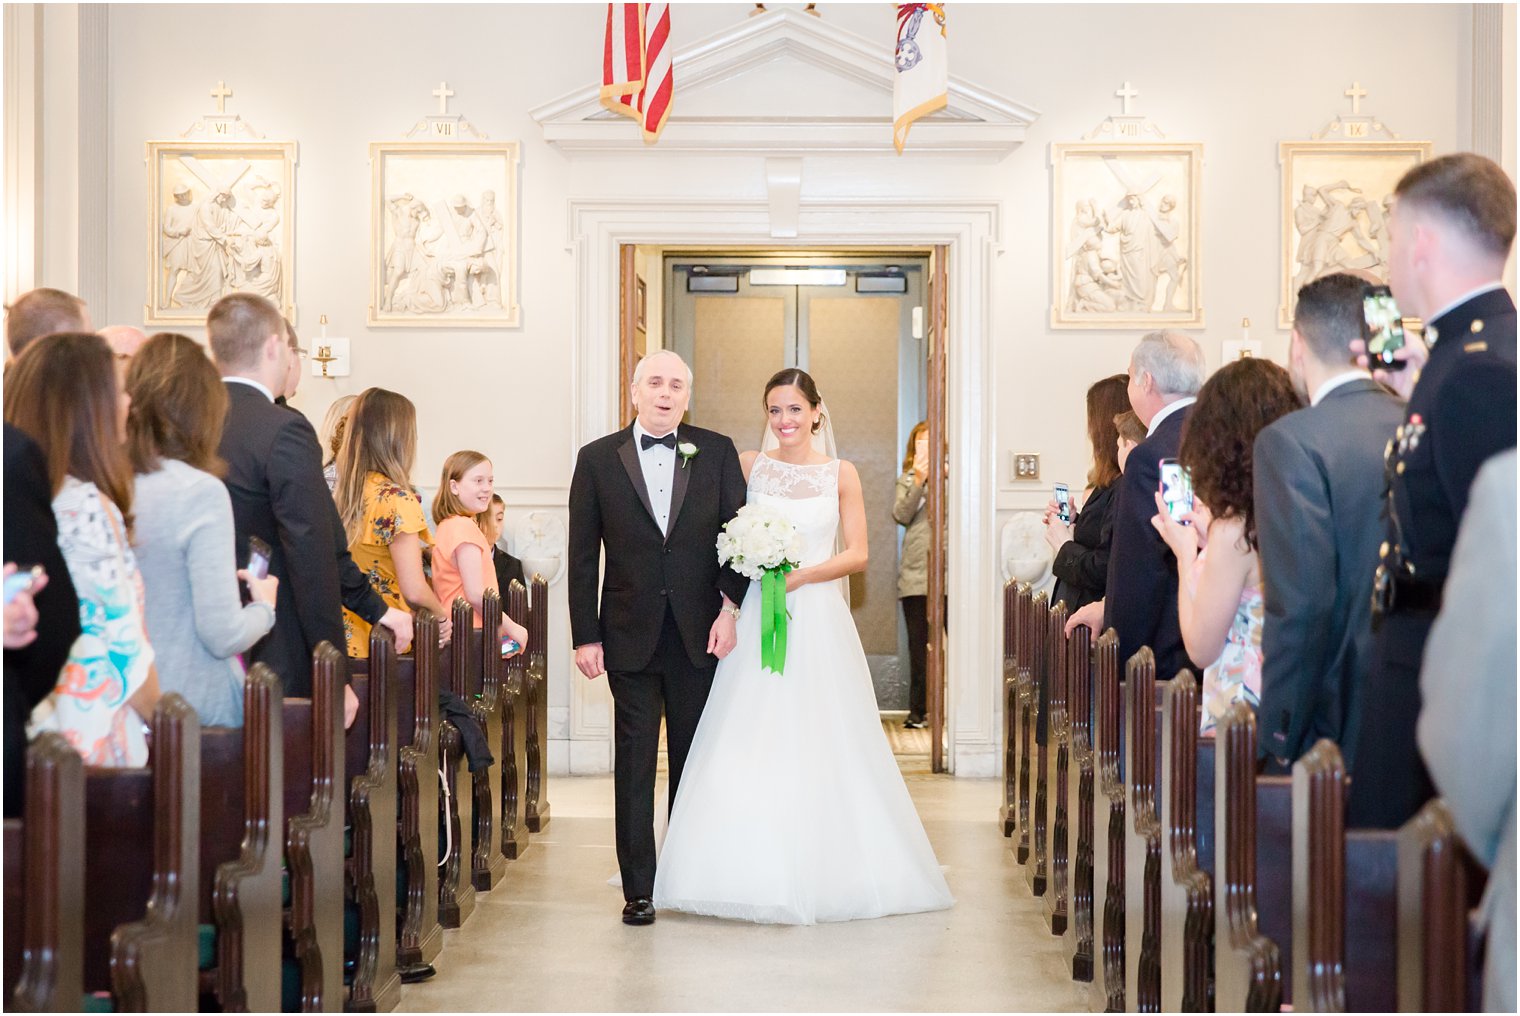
[(971, 235)]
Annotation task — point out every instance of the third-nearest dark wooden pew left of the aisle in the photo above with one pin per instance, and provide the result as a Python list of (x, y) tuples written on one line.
[(242, 848)]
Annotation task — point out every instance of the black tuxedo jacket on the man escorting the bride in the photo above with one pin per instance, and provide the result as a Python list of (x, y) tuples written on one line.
[(648, 573)]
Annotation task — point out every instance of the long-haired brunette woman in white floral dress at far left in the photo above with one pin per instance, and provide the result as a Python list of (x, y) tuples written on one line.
[(109, 687)]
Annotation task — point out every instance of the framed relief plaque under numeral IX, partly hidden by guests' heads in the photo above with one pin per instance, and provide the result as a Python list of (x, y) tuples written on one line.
[(1335, 209)]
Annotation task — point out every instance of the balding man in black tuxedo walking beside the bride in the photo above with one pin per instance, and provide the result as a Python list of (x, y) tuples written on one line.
[(654, 497)]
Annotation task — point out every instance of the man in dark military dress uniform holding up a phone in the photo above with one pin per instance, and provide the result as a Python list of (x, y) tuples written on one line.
[(1451, 233)]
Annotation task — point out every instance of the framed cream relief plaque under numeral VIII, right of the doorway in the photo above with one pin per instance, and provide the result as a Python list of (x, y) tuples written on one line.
[(1126, 235)]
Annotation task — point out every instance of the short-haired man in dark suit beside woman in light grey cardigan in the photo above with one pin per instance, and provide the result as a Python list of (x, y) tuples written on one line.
[(274, 475)]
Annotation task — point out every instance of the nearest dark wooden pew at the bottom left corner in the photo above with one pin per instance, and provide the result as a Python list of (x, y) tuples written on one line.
[(45, 884)]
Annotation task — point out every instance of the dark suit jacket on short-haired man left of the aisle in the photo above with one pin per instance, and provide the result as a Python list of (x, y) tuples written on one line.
[(274, 477)]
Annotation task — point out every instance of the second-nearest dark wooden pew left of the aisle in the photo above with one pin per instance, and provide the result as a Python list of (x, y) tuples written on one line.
[(142, 871)]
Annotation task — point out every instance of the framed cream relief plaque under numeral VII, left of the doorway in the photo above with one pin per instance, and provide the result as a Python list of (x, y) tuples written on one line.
[(445, 226)]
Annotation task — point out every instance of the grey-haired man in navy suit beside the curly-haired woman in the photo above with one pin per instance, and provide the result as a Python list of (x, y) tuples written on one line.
[(1167, 370)]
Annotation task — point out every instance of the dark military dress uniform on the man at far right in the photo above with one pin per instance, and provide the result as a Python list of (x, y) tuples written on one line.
[(1461, 411)]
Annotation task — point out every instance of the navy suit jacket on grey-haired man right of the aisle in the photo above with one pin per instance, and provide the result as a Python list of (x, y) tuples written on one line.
[(1142, 571)]
